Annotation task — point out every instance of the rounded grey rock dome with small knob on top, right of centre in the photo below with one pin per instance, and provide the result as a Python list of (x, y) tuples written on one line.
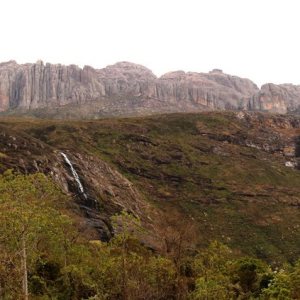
[(214, 91)]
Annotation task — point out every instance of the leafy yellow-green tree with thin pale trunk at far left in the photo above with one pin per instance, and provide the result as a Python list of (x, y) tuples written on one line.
[(28, 218)]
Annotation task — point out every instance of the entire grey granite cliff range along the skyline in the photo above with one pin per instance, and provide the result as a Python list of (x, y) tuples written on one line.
[(127, 88)]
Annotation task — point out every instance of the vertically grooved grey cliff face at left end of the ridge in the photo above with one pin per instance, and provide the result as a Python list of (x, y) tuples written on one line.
[(32, 86)]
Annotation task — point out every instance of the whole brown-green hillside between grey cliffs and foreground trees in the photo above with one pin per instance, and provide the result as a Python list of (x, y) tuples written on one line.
[(233, 174)]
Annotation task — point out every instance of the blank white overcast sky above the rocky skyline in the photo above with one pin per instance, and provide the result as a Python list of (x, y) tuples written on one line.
[(256, 39)]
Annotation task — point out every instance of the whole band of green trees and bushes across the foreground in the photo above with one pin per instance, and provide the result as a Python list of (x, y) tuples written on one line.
[(44, 256)]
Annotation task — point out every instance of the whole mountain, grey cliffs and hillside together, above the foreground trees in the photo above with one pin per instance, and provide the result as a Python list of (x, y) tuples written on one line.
[(234, 173)]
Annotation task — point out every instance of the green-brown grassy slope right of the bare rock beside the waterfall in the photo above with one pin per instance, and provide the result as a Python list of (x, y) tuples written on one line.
[(240, 195)]
